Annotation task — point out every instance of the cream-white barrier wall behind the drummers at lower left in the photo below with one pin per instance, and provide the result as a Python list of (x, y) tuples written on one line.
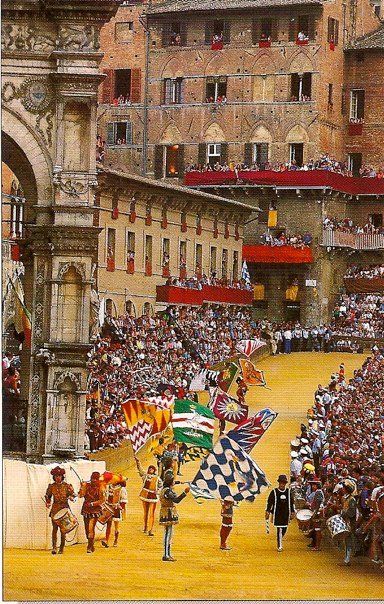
[(26, 521)]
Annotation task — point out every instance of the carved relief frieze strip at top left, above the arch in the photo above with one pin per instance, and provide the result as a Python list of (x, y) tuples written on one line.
[(26, 37)]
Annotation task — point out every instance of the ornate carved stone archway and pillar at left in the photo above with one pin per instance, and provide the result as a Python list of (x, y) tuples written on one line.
[(50, 67)]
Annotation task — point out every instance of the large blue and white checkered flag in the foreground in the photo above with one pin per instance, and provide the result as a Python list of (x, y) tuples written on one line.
[(228, 473)]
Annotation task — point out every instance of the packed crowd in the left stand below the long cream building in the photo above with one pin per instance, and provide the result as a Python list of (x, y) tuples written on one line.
[(140, 357)]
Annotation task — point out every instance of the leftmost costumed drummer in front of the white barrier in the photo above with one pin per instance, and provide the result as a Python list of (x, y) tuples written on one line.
[(60, 492)]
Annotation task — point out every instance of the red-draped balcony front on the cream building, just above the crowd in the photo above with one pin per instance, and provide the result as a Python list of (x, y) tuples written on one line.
[(171, 294)]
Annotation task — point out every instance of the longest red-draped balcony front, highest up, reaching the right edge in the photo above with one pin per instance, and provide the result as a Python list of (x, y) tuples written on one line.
[(294, 179)]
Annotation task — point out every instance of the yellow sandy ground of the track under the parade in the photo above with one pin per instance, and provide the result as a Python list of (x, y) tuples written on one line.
[(253, 569)]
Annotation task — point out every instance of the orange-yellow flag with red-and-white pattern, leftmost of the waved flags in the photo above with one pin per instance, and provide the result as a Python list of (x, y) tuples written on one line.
[(143, 421)]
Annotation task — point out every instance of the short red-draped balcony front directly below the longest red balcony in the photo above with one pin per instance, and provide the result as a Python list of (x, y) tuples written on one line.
[(284, 254)]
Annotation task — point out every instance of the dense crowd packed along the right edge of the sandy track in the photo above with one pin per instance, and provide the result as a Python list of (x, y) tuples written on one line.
[(337, 462)]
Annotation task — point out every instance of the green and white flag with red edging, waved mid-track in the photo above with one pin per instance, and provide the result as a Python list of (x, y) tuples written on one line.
[(193, 423)]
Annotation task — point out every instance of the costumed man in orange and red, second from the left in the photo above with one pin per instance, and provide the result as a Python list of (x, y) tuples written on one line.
[(94, 497)]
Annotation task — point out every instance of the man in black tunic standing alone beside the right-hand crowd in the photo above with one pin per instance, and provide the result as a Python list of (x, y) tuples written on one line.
[(281, 505)]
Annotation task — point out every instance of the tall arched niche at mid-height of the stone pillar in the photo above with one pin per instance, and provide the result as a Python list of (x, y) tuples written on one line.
[(70, 307)]
